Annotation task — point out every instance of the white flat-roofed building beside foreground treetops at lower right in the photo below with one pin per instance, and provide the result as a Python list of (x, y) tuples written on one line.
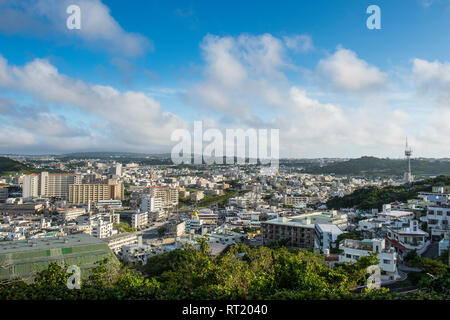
[(354, 249)]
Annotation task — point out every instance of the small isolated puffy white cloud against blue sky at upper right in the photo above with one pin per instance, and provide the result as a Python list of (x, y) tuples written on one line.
[(345, 71)]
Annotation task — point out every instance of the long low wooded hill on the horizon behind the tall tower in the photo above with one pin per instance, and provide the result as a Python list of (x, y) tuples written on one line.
[(382, 167)]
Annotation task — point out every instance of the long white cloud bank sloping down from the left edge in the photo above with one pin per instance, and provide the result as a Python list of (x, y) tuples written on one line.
[(130, 120)]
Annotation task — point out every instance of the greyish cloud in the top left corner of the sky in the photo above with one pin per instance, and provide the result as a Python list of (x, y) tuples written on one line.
[(46, 18)]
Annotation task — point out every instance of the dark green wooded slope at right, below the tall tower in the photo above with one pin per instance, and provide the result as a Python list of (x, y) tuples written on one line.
[(373, 197)]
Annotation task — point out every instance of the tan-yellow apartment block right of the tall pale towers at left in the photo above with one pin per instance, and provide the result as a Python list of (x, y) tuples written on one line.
[(83, 193)]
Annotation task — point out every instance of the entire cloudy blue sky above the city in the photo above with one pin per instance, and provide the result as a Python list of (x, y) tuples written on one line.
[(138, 70)]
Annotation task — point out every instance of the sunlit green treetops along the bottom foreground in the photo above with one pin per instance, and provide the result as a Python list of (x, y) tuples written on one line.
[(240, 273)]
